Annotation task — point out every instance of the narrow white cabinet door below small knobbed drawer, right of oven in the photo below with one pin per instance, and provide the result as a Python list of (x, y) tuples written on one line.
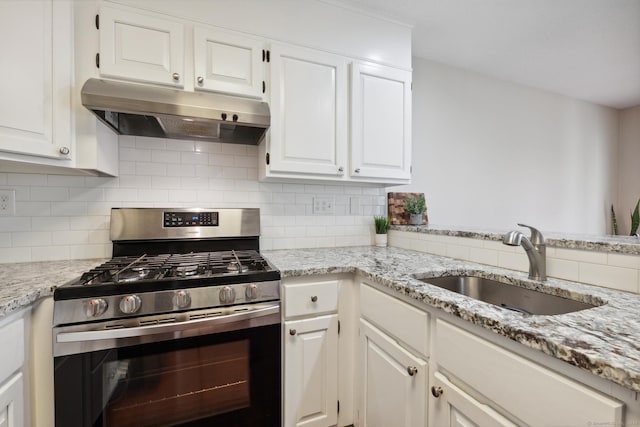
[(311, 372)]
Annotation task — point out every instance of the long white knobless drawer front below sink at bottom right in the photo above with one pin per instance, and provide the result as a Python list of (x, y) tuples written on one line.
[(532, 393)]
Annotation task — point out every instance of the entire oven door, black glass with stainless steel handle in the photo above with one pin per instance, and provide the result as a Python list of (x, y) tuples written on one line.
[(220, 371)]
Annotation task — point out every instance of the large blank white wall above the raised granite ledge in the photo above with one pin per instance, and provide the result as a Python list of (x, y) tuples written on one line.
[(488, 153)]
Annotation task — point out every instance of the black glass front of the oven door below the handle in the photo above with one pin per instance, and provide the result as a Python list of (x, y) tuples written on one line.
[(229, 379)]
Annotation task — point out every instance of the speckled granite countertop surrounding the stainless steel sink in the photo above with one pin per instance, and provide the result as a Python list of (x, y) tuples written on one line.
[(604, 340)]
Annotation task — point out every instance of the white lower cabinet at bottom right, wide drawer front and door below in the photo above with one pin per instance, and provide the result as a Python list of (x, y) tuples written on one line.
[(522, 391)]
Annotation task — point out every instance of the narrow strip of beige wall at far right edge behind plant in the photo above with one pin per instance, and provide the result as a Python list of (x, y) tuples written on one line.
[(628, 167)]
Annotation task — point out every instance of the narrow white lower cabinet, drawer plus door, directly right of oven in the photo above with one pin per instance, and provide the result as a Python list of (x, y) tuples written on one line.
[(310, 338)]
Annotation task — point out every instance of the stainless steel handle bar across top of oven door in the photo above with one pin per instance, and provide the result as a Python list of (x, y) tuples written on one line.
[(219, 323)]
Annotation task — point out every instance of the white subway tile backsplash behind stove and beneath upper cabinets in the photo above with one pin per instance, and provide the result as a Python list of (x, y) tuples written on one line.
[(67, 217)]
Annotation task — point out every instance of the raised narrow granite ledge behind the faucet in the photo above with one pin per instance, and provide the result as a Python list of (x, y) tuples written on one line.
[(619, 244)]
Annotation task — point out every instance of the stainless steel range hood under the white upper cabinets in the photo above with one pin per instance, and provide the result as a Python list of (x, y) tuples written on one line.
[(136, 109)]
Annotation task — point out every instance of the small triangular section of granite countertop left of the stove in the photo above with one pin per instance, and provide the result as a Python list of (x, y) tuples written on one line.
[(23, 283)]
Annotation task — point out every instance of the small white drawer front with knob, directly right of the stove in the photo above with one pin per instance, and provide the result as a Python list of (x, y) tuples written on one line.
[(310, 298)]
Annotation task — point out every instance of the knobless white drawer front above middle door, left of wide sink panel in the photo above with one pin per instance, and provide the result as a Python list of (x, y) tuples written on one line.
[(399, 319)]
